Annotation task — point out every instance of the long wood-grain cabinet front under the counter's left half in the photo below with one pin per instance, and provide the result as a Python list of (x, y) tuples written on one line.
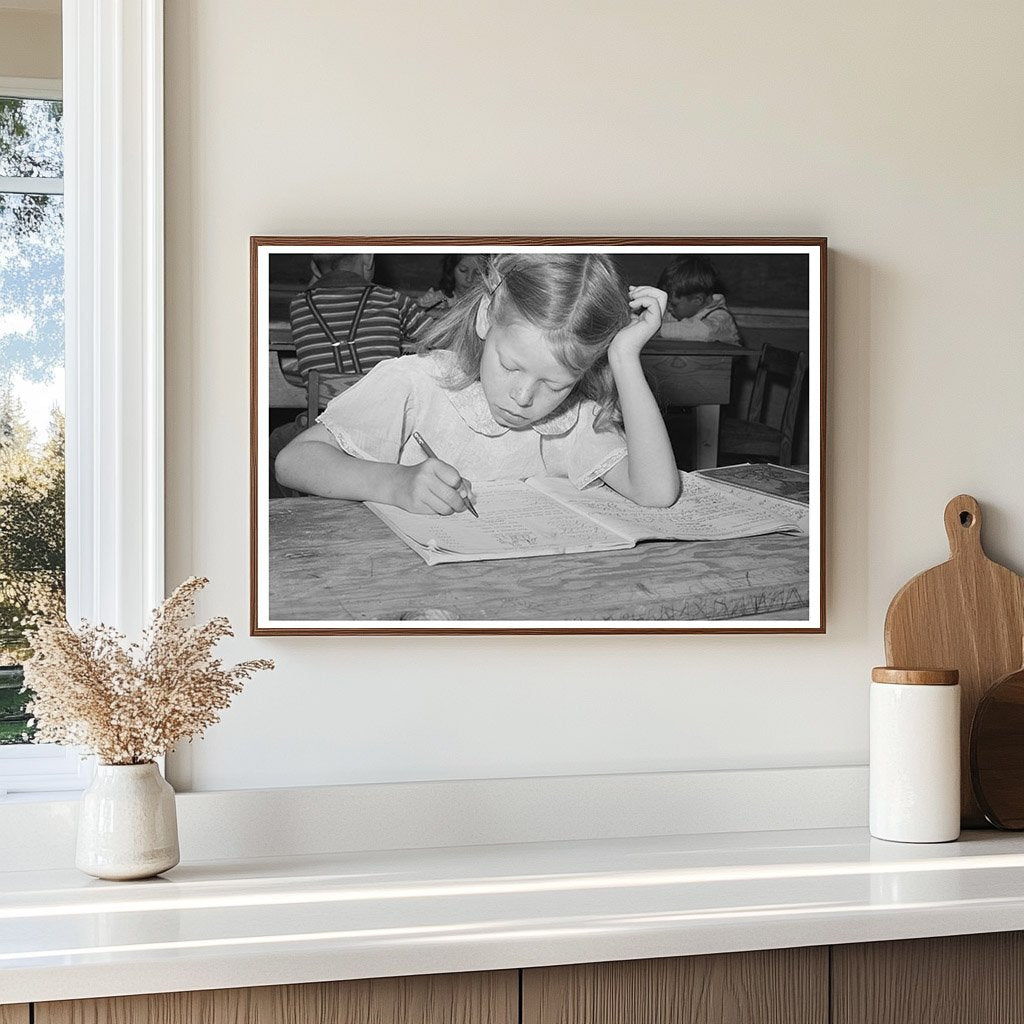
[(449, 999)]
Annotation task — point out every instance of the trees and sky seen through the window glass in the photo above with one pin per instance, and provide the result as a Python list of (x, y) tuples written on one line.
[(32, 437)]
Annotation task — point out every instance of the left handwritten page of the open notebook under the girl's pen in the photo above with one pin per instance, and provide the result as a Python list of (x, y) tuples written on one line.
[(516, 522)]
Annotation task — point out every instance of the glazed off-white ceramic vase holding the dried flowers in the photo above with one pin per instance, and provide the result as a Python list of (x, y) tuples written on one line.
[(127, 826)]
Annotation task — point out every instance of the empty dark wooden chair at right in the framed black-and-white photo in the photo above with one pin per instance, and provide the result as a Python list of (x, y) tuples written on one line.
[(752, 437)]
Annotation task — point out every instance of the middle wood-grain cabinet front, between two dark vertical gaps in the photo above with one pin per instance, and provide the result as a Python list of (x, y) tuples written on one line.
[(774, 987)]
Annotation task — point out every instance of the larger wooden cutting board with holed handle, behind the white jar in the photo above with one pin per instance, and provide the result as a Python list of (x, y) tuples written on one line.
[(967, 614)]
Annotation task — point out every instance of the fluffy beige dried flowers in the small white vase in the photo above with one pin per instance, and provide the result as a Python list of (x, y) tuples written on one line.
[(129, 705)]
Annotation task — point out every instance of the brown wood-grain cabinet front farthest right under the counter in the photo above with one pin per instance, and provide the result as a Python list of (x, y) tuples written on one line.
[(962, 979)]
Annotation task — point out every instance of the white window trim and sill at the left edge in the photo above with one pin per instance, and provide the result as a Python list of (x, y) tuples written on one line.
[(114, 331)]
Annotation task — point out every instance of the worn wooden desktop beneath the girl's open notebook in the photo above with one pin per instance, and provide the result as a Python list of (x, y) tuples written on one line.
[(335, 561)]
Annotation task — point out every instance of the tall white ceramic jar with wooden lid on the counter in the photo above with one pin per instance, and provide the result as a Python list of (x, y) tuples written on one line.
[(916, 755)]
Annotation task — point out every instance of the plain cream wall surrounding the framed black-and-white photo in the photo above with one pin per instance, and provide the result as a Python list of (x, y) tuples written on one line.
[(895, 130)]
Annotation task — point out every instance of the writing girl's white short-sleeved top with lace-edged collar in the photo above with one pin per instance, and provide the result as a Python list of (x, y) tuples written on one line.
[(375, 419)]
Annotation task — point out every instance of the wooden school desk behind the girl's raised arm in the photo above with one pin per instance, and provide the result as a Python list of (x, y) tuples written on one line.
[(697, 374)]
